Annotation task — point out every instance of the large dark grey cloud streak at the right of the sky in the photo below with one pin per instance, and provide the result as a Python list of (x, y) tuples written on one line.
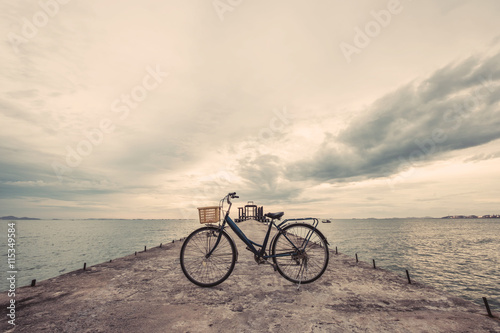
[(453, 109)]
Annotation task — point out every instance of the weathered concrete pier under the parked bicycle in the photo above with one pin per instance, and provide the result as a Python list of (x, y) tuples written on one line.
[(148, 292)]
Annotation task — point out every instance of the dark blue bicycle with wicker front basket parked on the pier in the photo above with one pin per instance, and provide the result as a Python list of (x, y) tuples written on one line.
[(299, 251)]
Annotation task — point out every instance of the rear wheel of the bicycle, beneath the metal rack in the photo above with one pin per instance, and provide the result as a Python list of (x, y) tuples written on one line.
[(301, 253)]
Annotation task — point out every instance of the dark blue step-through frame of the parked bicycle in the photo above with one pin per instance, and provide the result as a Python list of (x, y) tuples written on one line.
[(251, 245)]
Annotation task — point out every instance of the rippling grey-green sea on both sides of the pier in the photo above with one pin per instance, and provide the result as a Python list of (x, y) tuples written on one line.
[(461, 256)]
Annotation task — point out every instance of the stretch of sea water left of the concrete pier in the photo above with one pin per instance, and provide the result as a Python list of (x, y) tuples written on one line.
[(48, 248)]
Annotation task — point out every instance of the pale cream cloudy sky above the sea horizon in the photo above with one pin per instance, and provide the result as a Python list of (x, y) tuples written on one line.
[(330, 109)]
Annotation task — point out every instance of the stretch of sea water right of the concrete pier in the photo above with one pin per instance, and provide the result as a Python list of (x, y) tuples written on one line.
[(461, 256)]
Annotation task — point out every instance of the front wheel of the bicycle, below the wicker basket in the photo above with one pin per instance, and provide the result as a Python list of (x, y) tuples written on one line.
[(214, 269)]
